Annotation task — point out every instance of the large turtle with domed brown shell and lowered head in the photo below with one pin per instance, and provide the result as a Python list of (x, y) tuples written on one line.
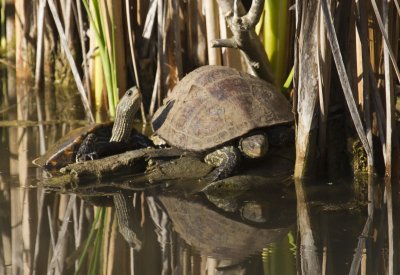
[(223, 113)]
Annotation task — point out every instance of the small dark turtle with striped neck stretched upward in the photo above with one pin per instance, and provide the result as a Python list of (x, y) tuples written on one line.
[(98, 140)]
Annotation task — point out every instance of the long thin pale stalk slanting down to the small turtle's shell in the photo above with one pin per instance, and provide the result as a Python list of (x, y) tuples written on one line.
[(71, 61)]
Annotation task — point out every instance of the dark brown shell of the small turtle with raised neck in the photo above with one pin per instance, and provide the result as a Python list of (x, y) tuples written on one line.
[(63, 152)]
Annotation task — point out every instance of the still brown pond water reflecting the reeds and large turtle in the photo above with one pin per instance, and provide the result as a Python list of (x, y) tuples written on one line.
[(298, 229)]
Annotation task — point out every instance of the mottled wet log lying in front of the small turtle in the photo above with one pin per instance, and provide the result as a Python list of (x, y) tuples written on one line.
[(139, 167)]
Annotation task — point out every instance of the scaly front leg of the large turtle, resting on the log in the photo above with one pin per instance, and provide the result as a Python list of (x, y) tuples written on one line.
[(225, 160)]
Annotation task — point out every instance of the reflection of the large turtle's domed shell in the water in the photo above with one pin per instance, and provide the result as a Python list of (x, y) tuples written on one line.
[(224, 237)]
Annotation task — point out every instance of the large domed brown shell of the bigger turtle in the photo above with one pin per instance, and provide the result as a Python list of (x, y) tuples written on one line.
[(215, 104)]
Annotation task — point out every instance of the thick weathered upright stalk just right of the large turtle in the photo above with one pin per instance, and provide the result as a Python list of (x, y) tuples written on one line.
[(307, 77)]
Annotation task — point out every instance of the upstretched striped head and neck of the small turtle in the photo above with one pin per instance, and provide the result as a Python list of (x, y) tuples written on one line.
[(126, 110)]
